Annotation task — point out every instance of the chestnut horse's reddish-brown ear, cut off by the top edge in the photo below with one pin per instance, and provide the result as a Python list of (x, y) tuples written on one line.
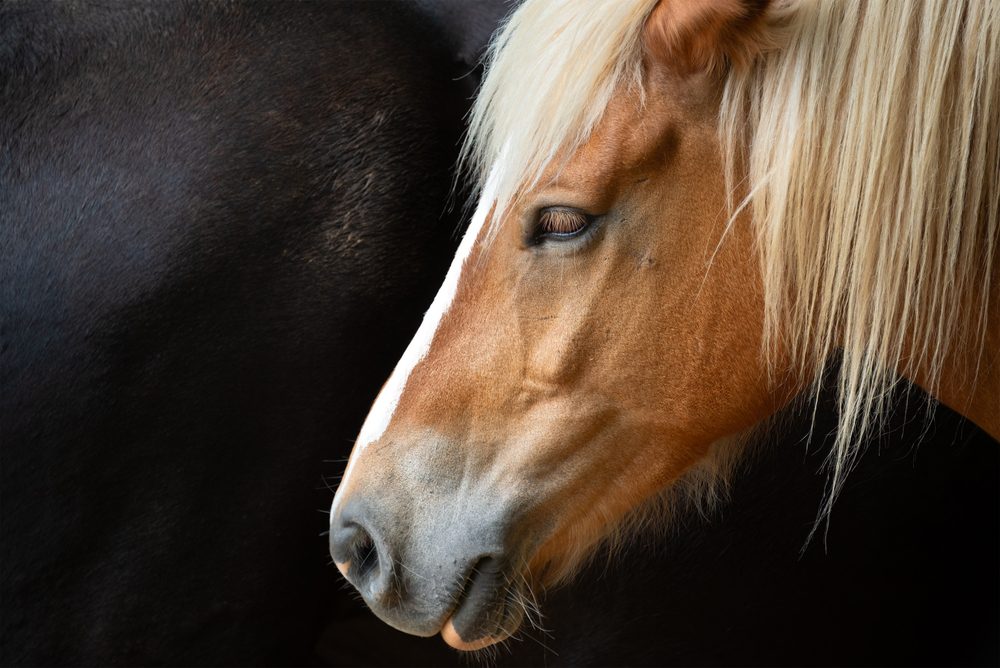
[(698, 35)]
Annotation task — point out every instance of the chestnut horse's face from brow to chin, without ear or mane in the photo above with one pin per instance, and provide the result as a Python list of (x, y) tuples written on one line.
[(589, 356)]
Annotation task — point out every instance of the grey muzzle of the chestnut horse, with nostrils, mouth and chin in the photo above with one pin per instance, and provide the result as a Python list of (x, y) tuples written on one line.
[(443, 571)]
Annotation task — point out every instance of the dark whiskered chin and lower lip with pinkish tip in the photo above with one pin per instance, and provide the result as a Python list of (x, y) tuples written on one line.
[(488, 611)]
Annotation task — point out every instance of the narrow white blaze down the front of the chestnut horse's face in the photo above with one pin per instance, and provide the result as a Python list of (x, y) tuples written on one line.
[(388, 399)]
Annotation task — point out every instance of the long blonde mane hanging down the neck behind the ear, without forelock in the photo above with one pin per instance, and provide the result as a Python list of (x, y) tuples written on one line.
[(873, 160)]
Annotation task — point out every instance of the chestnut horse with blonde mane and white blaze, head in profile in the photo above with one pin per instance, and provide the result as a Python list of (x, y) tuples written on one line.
[(688, 211)]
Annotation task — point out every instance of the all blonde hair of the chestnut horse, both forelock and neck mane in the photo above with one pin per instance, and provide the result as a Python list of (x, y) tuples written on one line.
[(870, 143)]
